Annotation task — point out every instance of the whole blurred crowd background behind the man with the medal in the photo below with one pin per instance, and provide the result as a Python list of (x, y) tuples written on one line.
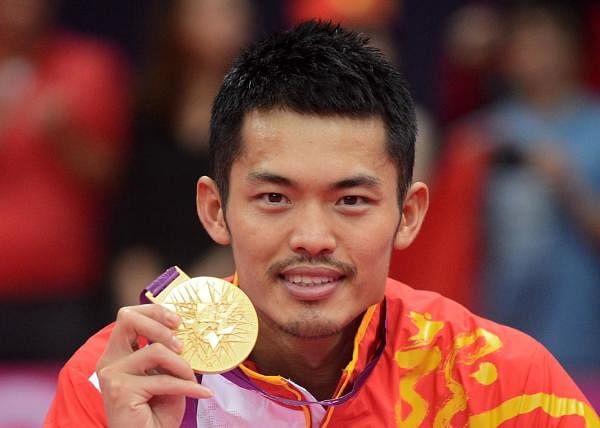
[(104, 113)]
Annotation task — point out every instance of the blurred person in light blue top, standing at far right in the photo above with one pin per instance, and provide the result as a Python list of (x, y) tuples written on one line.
[(543, 196)]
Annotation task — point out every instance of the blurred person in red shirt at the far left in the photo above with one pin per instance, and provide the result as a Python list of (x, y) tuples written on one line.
[(63, 119)]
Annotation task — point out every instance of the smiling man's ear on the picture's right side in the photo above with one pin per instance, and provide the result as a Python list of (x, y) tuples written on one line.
[(413, 213)]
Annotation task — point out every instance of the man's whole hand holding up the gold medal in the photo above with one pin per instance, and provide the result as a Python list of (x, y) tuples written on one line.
[(146, 387)]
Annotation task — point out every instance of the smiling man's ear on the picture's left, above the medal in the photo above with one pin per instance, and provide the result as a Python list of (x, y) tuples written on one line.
[(211, 210)]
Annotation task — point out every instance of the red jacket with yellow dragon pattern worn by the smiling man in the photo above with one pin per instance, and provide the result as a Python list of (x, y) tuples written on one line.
[(442, 367)]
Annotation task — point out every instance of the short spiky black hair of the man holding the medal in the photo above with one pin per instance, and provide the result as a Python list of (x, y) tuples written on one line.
[(315, 68)]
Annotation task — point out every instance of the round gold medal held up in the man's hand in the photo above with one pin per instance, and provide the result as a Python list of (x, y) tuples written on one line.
[(219, 324)]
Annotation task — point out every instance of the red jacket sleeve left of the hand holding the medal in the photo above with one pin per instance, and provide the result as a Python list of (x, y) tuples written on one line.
[(78, 402)]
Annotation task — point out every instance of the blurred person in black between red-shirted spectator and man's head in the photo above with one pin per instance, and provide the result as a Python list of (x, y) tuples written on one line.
[(156, 223)]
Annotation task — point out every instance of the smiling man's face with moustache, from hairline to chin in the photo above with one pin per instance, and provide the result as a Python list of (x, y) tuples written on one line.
[(312, 214)]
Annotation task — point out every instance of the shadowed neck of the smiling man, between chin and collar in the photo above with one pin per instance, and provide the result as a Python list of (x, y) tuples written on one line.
[(315, 364)]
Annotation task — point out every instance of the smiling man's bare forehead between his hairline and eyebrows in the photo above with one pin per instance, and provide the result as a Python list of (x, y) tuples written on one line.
[(286, 135)]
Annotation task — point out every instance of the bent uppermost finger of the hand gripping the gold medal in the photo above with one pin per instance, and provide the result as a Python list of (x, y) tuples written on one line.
[(153, 322)]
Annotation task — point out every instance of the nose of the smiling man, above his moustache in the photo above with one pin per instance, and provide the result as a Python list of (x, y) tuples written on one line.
[(312, 233)]
